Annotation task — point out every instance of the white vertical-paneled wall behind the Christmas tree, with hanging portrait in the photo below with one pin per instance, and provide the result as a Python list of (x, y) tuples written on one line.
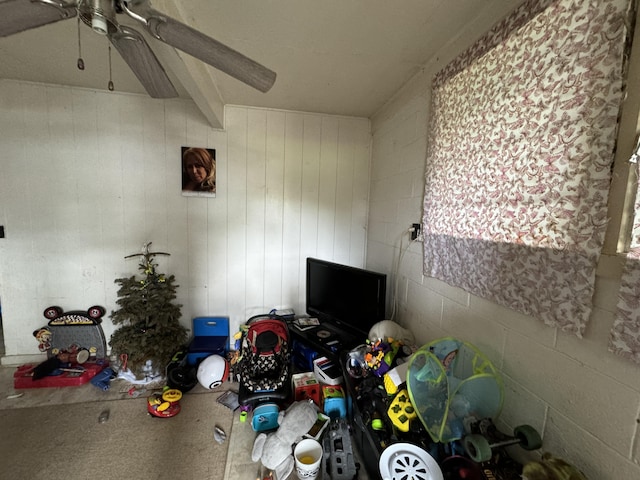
[(87, 177)]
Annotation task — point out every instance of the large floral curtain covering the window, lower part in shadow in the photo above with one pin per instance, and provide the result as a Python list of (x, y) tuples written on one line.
[(521, 143)]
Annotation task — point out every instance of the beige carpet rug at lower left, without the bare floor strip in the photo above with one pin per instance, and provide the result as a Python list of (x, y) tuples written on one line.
[(64, 442)]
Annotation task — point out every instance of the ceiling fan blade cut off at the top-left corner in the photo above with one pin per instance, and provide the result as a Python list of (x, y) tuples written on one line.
[(20, 15)]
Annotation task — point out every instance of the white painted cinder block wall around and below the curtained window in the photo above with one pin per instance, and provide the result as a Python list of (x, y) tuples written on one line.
[(584, 400)]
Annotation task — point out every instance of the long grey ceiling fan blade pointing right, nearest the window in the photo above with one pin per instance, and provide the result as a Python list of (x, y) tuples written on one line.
[(205, 48)]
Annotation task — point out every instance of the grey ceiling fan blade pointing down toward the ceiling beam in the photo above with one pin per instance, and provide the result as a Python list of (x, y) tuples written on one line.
[(145, 65)]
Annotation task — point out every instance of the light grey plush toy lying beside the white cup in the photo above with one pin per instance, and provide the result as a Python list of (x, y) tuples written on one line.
[(275, 450)]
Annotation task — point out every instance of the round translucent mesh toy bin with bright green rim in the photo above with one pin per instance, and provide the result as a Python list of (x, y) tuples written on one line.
[(450, 381)]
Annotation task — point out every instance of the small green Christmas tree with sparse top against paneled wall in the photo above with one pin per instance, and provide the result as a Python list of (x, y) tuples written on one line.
[(149, 319)]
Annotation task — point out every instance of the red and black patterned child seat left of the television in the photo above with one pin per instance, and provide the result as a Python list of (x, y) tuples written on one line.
[(264, 363)]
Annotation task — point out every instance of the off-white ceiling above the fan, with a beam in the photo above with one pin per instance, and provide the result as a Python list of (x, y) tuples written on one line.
[(344, 57)]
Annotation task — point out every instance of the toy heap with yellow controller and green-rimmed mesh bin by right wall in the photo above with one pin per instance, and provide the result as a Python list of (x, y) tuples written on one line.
[(434, 407)]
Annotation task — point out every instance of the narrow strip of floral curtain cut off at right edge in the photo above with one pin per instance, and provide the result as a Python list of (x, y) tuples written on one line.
[(625, 334)]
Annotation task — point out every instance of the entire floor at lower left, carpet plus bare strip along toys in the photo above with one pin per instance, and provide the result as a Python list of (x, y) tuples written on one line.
[(55, 434)]
